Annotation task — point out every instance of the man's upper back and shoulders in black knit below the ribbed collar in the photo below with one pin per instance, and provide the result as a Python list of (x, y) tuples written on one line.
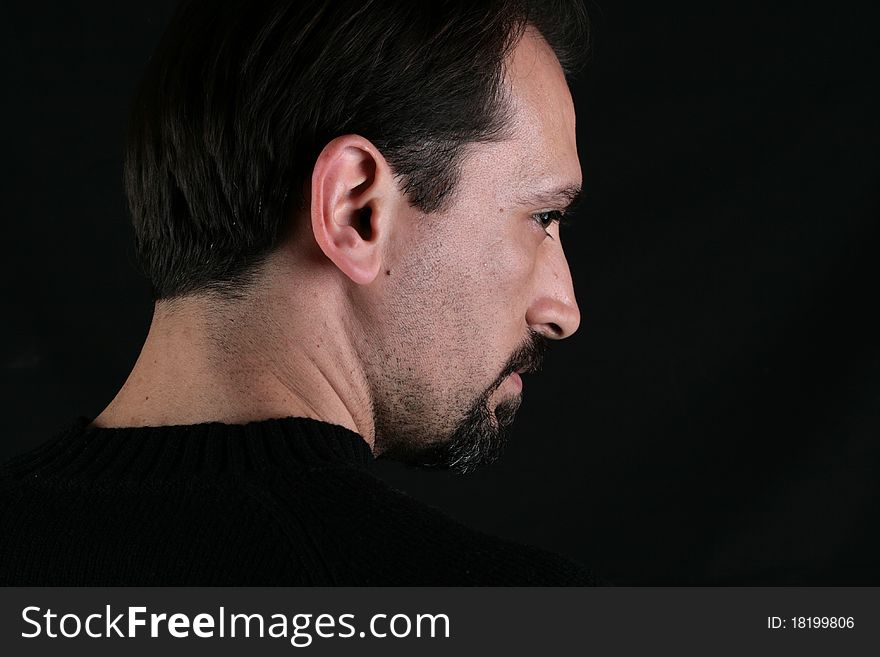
[(328, 525)]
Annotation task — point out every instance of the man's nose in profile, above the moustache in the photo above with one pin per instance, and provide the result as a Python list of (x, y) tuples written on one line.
[(554, 311)]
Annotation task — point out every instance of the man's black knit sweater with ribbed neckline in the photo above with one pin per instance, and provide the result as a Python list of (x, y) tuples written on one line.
[(277, 502)]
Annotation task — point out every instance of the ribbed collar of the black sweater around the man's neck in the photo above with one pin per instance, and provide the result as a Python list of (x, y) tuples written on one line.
[(211, 448)]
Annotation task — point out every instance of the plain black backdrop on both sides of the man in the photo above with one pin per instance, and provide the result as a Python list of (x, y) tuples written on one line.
[(714, 421)]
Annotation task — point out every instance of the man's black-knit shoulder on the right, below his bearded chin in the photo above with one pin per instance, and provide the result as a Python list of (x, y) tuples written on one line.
[(388, 537)]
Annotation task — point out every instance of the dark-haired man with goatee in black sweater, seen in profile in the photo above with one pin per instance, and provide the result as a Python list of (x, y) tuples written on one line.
[(348, 213)]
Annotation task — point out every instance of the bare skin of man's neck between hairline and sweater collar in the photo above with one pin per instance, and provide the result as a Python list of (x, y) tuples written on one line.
[(235, 365)]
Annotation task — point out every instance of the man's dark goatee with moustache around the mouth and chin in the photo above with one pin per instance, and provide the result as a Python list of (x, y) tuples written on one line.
[(480, 436)]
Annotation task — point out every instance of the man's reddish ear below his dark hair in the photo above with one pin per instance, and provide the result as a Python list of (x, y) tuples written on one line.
[(352, 196)]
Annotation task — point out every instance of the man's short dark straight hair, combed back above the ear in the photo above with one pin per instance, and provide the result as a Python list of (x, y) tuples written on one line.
[(241, 96)]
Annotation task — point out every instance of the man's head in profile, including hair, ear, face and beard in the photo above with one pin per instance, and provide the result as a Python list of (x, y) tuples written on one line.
[(416, 155)]
